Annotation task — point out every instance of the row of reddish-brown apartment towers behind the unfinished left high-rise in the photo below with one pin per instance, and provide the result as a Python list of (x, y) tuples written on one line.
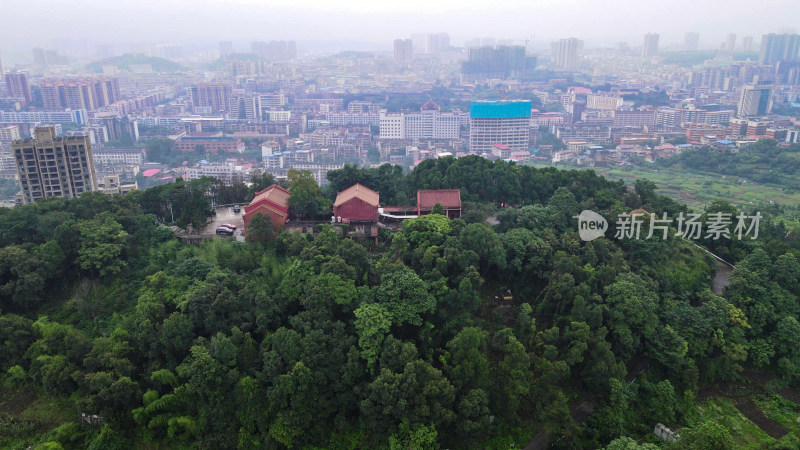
[(80, 93)]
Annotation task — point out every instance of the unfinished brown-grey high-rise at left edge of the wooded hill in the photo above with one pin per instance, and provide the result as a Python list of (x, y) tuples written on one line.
[(51, 166)]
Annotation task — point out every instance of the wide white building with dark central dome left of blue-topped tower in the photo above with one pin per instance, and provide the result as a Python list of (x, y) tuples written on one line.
[(429, 123)]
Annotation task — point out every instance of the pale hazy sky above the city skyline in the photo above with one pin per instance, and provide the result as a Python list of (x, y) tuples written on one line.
[(373, 24)]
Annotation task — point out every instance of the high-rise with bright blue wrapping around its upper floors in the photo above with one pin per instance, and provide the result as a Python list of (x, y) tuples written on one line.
[(504, 122)]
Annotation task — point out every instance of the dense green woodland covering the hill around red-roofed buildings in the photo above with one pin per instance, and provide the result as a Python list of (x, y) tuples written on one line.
[(447, 333)]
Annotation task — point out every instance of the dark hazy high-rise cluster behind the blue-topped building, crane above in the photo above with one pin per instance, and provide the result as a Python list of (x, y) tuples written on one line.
[(498, 62)]
